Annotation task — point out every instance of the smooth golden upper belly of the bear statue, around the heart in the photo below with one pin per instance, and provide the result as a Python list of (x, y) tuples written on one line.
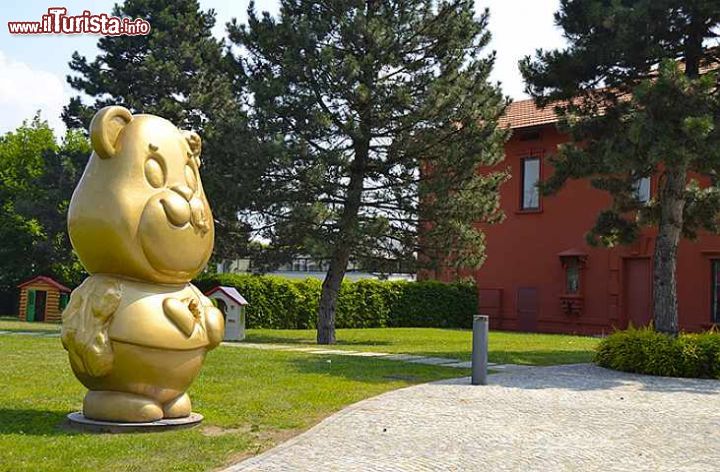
[(141, 320)]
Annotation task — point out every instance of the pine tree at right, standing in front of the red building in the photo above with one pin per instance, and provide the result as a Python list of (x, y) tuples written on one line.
[(637, 90)]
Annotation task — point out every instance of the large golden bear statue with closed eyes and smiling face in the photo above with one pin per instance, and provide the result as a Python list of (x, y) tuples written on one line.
[(136, 330)]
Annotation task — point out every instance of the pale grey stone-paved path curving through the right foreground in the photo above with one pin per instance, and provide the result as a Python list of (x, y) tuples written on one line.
[(562, 418)]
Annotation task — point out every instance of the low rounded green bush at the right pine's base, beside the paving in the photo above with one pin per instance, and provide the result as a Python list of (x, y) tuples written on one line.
[(645, 351)]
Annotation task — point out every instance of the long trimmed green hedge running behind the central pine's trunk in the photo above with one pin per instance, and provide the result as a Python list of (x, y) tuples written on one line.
[(281, 303)]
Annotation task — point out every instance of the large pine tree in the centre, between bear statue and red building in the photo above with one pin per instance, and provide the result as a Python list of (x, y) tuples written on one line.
[(371, 108)]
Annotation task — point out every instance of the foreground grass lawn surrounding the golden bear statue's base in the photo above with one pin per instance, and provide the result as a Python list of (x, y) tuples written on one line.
[(251, 399)]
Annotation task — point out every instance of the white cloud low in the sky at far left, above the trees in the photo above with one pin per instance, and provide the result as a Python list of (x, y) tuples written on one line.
[(24, 91)]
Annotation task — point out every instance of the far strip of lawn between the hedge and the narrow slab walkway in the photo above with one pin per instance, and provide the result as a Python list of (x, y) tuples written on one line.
[(505, 347)]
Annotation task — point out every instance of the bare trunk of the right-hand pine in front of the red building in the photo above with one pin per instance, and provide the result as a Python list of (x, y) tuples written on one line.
[(672, 203)]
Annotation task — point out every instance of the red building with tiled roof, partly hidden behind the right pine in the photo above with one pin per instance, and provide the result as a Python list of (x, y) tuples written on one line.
[(541, 275)]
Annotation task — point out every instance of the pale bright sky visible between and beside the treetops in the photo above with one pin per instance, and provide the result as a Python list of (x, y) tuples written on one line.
[(33, 67)]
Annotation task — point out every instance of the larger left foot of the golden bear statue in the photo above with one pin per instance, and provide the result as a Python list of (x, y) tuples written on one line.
[(121, 407)]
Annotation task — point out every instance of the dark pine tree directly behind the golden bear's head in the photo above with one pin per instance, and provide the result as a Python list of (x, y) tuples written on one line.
[(180, 72)]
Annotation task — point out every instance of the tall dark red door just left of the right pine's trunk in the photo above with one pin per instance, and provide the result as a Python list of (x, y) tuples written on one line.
[(638, 291)]
